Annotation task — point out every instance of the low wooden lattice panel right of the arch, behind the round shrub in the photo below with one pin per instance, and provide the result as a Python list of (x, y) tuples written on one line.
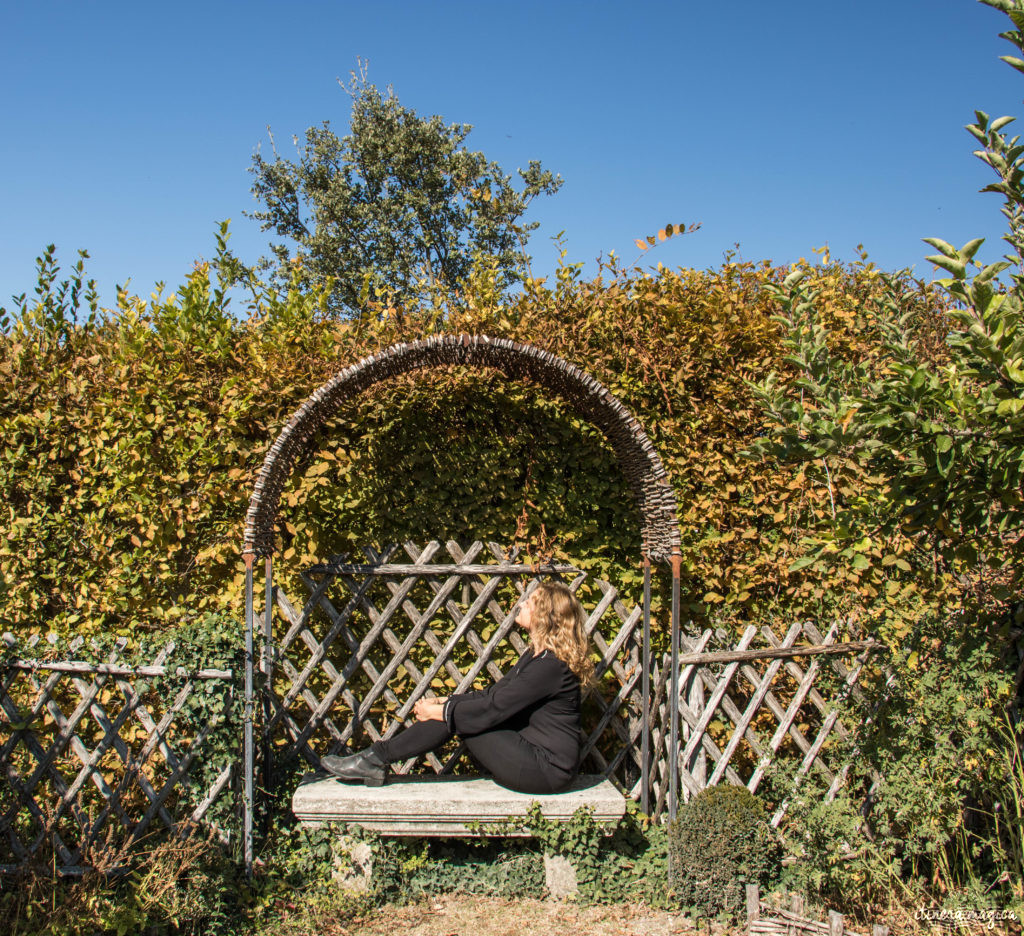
[(740, 717)]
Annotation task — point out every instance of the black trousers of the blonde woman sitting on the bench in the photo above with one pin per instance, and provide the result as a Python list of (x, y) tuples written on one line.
[(505, 754)]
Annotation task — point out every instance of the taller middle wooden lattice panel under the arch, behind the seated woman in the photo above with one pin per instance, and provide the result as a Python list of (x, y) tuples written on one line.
[(368, 642)]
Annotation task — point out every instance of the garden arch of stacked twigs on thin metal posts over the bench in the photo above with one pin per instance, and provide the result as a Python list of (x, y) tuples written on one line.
[(589, 399)]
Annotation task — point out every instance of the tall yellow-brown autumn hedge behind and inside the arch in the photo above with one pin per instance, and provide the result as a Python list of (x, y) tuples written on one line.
[(132, 440)]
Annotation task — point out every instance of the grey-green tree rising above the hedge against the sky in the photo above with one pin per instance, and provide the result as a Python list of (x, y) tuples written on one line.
[(399, 205)]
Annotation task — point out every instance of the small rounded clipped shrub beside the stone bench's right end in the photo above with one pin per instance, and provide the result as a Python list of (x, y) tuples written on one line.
[(720, 842)]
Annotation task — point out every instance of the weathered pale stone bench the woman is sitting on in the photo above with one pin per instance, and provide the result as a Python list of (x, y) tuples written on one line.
[(438, 806)]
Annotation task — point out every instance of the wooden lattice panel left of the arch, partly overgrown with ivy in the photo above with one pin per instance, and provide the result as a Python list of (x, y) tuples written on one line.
[(95, 758)]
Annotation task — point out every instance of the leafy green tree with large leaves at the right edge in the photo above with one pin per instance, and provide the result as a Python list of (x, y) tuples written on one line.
[(946, 436)]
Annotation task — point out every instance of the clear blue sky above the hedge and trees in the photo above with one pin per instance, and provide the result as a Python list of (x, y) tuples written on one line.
[(127, 129)]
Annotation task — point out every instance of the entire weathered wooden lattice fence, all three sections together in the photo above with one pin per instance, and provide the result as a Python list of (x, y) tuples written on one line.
[(101, 754)]
